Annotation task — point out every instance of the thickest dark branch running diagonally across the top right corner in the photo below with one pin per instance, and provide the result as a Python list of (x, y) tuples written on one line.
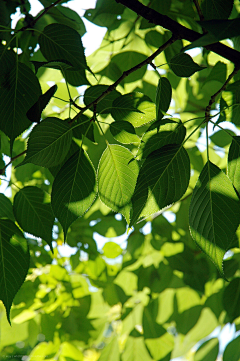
[(184, 33)]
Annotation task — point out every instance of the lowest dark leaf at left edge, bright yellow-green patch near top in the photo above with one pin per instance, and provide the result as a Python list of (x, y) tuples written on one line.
[(14, 262)]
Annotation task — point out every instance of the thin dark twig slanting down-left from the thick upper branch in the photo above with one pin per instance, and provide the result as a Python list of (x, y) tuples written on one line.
[(124, 75)]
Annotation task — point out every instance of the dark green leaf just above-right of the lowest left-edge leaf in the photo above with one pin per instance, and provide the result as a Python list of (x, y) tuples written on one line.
[(33, 213)]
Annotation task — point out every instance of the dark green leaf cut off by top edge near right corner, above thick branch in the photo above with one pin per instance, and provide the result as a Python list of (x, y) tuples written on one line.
[(216, 9)]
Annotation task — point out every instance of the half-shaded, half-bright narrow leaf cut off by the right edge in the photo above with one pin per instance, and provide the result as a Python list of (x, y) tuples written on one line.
[(234, 162)]
